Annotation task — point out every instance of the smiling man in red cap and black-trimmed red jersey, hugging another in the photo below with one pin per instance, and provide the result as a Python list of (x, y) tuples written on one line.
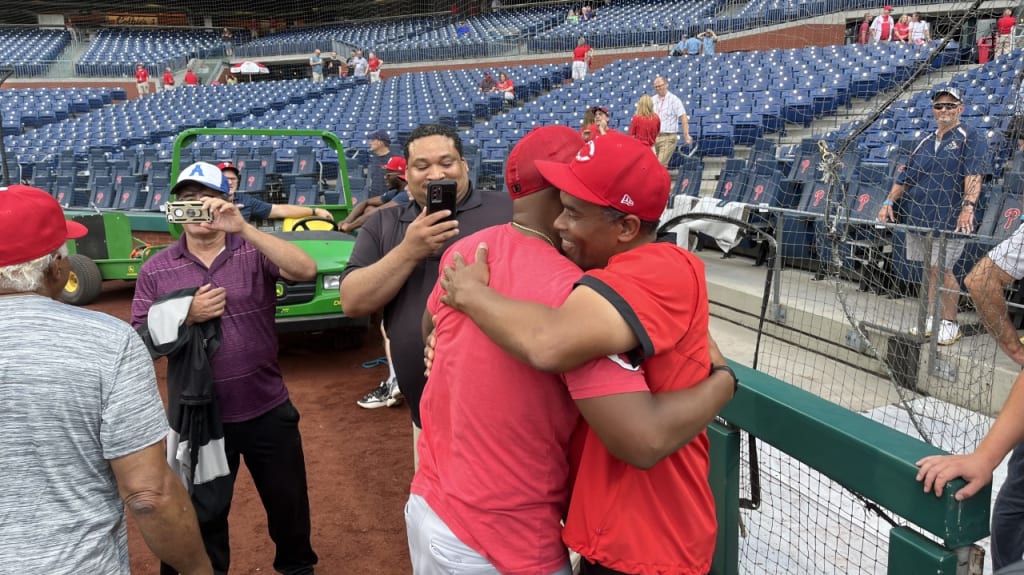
[(641, 297)]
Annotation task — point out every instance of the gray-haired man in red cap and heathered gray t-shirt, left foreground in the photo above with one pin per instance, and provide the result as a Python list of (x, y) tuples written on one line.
[(78, 451)]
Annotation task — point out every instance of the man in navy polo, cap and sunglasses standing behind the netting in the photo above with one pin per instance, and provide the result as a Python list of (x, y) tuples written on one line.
[(940, 189)]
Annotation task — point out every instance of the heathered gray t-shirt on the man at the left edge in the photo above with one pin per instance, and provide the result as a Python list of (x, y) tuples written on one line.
[(77, 389)]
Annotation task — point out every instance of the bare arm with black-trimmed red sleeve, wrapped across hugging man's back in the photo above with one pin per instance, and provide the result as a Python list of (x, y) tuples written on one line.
[(586, 327)]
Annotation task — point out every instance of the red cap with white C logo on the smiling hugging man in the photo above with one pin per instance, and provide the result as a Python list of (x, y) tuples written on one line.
[(617, 171)]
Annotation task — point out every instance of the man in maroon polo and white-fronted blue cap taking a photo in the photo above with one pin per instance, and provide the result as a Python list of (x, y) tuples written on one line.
[(236, 269)]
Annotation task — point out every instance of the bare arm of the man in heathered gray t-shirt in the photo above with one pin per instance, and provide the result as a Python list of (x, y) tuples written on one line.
[(160, 506)]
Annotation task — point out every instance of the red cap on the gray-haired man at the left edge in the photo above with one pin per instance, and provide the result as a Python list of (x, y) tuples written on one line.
[(32, 226)]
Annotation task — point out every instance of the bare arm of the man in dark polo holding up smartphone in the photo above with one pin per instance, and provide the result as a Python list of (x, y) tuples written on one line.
[(369, 289)]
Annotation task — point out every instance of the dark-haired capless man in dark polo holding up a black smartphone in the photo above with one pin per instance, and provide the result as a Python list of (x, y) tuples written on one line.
[(394, 266)]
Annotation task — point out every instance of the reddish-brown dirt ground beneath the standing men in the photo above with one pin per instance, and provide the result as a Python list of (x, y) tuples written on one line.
[(360, 464)]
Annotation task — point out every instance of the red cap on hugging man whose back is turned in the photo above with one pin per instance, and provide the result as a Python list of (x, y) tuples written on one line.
[(554, 144)]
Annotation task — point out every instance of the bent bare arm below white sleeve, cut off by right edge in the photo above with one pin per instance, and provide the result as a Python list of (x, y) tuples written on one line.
[(988, 283)]
